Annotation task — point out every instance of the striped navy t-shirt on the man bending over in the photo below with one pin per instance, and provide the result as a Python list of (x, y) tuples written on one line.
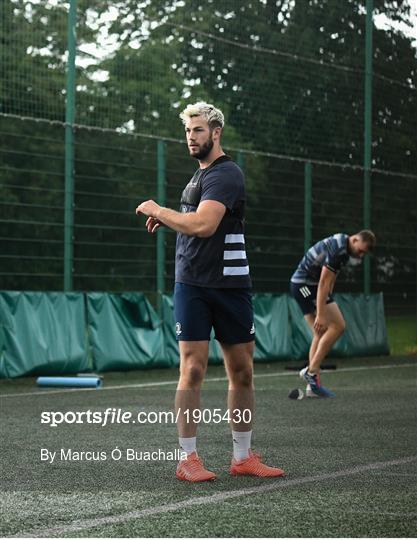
[(331, 252)]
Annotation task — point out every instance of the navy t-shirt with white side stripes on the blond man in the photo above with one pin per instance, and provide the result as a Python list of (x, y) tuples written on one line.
[(220, 260)]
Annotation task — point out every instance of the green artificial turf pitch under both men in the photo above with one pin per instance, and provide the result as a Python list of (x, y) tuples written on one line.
[(318, 442)]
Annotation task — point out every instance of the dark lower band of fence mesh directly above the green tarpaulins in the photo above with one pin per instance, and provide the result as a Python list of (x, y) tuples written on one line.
[(112, 250)]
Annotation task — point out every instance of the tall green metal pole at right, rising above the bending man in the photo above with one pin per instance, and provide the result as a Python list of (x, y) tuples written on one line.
[(368, 138)]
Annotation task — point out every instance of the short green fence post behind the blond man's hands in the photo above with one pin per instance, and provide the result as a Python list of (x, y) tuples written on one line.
[(160, 237)]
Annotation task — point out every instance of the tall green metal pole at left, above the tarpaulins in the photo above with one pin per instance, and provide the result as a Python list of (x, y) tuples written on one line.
[(69, 149)]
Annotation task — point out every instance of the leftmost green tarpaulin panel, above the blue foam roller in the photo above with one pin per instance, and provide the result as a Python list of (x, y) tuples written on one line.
[(42, 333)]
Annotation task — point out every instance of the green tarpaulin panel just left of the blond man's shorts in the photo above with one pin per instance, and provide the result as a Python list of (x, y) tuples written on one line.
[(125, 332)]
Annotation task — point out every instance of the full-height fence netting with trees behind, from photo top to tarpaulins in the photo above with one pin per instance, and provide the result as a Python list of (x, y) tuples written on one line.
[(290, 79)]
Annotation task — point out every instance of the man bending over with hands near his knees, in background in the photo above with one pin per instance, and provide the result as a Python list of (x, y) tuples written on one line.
[(312, 287)]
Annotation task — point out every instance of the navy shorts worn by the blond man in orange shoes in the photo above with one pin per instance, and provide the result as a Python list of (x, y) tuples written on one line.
[(199, 309)]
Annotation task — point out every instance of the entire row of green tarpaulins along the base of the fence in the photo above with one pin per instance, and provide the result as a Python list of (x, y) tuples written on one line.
[(47, 333)]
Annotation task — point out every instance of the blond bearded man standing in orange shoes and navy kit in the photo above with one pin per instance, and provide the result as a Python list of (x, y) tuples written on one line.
[(212, 290)]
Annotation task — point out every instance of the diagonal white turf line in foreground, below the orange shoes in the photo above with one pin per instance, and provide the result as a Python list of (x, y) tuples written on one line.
[(216, 498)]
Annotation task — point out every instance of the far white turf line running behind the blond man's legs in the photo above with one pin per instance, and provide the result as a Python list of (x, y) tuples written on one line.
[(48, 392)]
